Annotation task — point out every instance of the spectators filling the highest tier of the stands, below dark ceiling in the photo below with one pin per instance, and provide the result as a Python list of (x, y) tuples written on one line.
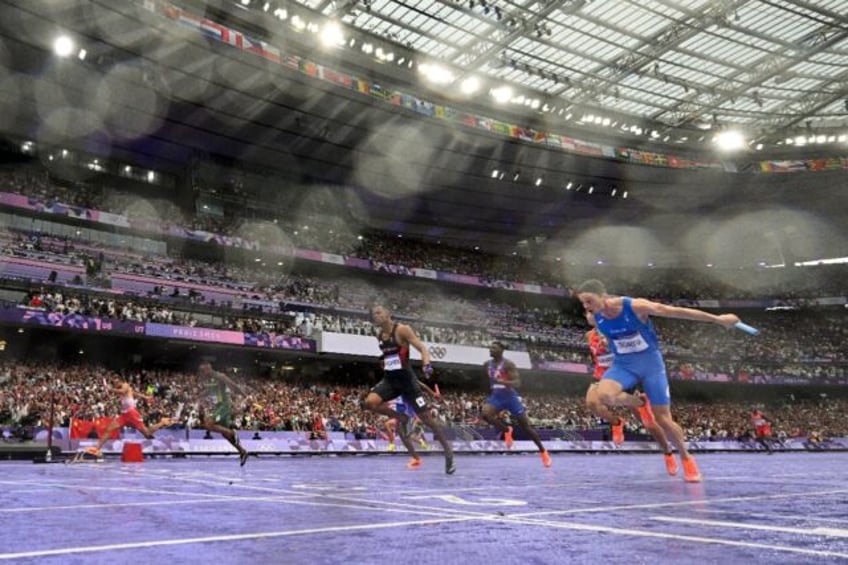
[(793, 286)]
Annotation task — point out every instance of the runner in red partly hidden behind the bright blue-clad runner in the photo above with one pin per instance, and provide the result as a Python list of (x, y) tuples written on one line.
[(602, 358)]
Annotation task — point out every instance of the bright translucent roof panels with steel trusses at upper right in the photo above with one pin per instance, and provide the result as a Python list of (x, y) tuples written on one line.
[(769, 66)]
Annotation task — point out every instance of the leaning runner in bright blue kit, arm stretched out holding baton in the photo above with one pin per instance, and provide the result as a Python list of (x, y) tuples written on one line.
[(626, 324)]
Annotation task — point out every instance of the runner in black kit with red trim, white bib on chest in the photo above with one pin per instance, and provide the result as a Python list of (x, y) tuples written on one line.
[(399, 380)]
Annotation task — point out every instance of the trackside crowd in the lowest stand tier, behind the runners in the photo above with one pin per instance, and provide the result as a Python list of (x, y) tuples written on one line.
[(273, 403)]
